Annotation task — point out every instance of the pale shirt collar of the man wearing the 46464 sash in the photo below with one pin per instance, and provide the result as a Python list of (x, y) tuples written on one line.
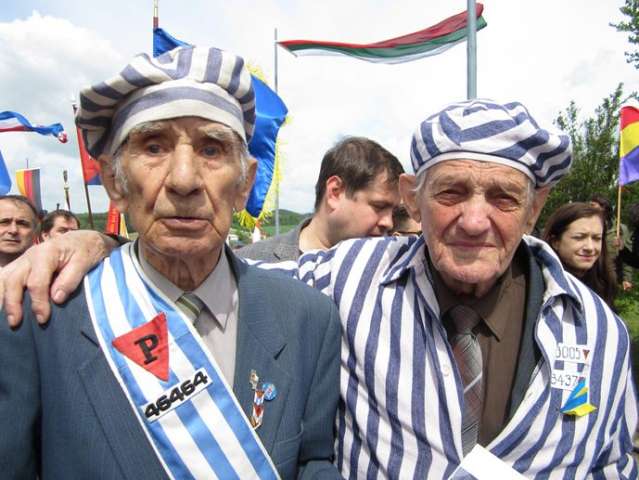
[(218, 291)]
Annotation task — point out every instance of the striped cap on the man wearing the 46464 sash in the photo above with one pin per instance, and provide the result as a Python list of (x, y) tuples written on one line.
[(186, 81)]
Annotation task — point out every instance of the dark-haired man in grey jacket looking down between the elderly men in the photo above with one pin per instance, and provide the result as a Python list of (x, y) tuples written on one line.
[(355, 194)]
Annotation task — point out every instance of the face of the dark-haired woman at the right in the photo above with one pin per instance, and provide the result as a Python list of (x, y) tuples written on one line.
[(579, 246)]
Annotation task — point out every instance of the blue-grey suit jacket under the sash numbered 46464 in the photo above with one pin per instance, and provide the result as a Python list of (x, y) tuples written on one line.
[(64, 416)]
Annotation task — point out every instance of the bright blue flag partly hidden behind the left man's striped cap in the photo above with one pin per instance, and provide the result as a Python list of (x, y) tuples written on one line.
[(270, 113)]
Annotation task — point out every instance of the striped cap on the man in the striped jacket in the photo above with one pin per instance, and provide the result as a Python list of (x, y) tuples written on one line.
[(491, 132)]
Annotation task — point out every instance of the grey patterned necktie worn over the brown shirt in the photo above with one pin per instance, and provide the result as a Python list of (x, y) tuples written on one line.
[(467, 353)]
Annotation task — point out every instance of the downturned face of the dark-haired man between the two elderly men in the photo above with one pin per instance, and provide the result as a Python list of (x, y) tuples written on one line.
[(365, 213)]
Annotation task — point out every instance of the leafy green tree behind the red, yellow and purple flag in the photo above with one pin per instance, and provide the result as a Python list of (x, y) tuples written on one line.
[(595, 151)]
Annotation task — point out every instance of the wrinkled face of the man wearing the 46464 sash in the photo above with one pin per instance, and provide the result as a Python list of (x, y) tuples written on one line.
[(183, 182)]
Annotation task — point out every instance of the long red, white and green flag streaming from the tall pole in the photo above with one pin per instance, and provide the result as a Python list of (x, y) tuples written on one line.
[(424, 43)]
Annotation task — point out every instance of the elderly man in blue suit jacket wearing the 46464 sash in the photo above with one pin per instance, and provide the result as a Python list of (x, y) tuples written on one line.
[(174, 359)]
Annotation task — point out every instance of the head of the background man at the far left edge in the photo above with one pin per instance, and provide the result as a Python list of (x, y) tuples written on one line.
[(18, 222)]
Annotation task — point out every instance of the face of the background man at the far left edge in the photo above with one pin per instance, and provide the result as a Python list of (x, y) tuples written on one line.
[(17, 227)]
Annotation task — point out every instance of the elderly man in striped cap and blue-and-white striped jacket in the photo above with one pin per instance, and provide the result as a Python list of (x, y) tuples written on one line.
[(469, 351)]
